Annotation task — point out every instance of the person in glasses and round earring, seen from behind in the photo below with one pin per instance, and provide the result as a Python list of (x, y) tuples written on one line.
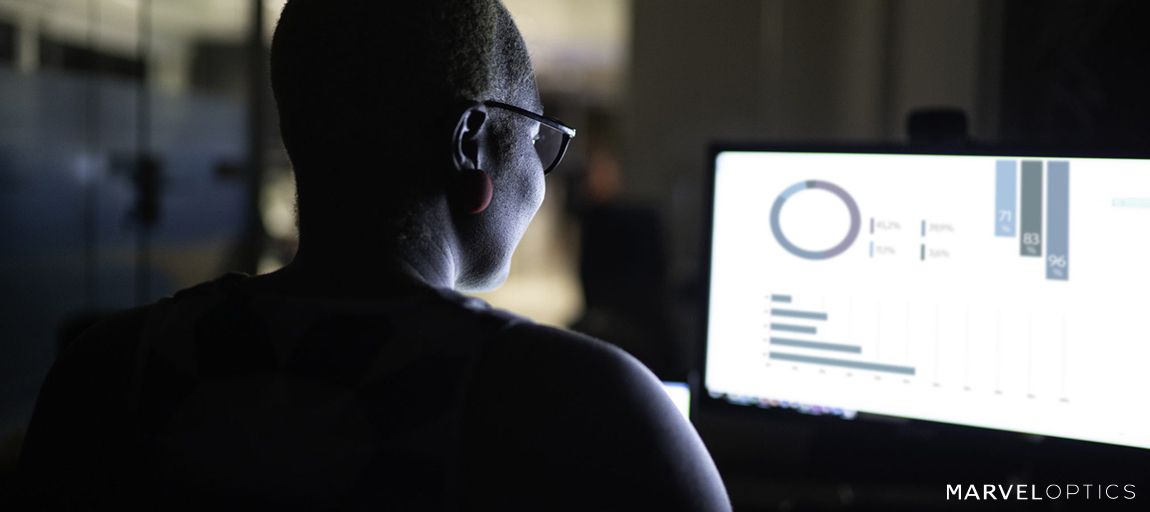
[(357, 378)]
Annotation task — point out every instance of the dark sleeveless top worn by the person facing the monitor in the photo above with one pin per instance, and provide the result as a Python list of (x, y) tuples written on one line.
[(269, 402)]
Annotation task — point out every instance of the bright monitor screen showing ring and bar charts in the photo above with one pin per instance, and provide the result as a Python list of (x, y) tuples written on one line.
[(998, 292)]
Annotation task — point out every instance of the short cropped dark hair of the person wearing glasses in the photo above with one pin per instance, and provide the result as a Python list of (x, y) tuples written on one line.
[(363, 82)]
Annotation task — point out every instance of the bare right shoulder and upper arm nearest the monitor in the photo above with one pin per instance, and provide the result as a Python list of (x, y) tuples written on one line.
[(572, 416)]
